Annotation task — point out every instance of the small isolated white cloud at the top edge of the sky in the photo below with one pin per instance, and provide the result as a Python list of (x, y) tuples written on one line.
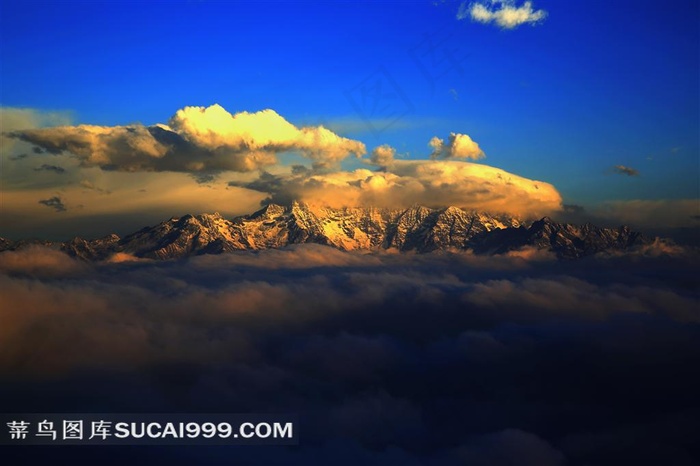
[(506, 14)]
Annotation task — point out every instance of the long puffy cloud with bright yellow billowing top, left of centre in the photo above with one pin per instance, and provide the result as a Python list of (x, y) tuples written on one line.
[(197, 139)]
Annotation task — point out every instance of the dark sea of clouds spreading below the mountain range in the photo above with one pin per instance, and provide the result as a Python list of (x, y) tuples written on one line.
[(436, 359)]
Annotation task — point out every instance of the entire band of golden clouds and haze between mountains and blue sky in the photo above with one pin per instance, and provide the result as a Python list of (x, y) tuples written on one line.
[(46, 188)]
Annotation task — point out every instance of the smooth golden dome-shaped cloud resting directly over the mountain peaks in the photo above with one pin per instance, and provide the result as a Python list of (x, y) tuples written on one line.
[(430, 183)]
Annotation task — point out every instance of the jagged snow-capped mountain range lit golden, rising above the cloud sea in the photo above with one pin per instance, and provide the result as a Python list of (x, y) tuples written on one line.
[(417, 228)]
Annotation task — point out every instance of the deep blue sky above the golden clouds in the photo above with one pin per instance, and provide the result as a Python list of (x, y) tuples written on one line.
[(598, 84)]
